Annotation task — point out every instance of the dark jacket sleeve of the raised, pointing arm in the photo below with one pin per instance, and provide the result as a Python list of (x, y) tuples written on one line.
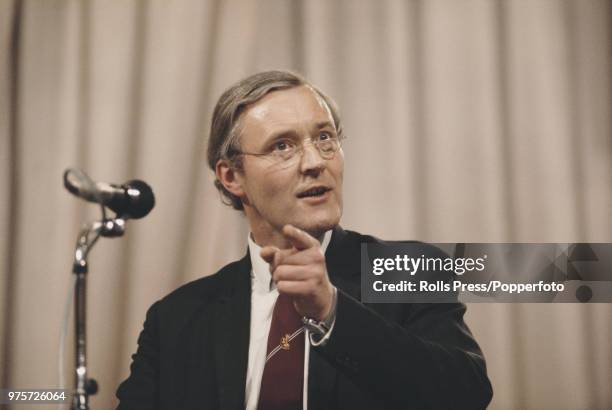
[(426, 360)]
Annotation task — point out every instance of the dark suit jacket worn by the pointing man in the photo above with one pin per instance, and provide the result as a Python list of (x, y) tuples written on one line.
[(193, 350)]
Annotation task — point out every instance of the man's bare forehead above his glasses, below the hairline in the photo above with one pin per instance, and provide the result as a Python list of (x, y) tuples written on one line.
[(290, 110)]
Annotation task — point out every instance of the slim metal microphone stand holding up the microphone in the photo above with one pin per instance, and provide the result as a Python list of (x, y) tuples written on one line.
[(87, 238)]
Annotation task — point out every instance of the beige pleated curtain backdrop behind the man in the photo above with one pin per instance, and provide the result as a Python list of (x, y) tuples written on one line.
[(469, 120)]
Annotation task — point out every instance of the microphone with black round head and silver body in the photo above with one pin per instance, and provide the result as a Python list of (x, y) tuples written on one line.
[(134, 199)]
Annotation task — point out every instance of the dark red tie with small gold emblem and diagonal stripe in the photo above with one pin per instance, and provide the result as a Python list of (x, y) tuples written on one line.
[(282, 383)]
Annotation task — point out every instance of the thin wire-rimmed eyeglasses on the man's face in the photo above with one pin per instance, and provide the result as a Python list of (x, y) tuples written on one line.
[(286, 149)]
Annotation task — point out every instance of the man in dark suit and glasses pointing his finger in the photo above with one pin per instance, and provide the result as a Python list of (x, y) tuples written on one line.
[(283, 328)]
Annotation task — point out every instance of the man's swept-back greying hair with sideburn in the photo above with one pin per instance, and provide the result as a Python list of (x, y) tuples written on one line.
[(224, 137)]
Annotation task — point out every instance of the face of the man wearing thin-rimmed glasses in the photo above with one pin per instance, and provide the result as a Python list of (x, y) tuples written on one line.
[(278, 193)]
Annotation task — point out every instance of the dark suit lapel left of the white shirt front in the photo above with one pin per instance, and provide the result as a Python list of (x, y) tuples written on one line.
[(231, 330)]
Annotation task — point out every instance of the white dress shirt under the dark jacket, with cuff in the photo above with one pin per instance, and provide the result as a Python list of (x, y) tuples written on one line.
[(263, 298)]
